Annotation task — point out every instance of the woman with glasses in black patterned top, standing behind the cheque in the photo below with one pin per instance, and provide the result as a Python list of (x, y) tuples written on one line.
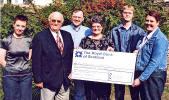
[(97, 41)]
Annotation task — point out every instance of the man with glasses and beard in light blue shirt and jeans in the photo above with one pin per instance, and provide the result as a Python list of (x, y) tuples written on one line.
[(78, 31)]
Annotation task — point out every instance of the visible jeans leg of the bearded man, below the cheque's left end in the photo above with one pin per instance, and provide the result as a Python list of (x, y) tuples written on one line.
[(79, 90)]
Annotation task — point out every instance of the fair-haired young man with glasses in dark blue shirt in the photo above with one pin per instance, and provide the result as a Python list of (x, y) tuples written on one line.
[(125, 37)]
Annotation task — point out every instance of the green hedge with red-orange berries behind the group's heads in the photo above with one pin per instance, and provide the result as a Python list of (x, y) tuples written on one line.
[(110, 10)]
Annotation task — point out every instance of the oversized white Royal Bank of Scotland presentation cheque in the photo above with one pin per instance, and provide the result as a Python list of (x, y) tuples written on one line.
[(103, 66)]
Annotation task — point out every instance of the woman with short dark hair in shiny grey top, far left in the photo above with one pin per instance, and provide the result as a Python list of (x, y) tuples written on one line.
[(15, 53)]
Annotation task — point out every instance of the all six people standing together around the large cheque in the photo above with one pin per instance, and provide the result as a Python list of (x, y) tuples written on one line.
[(51, 51)]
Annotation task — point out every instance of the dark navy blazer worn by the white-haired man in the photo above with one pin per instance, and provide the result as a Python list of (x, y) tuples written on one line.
[(48, 65)]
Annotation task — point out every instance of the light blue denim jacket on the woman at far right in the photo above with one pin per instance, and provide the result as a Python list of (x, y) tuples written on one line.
[(152, 57)]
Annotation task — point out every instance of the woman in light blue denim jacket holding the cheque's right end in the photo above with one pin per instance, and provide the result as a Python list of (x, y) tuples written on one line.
[(151, 61)]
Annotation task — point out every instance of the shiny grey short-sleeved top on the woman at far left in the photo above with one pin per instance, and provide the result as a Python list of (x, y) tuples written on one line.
[(17, 53)]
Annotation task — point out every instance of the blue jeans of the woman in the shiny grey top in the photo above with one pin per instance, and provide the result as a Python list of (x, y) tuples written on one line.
[(17, 86)]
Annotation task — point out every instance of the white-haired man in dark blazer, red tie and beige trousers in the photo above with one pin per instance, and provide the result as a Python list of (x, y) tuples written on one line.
[(52, 52)]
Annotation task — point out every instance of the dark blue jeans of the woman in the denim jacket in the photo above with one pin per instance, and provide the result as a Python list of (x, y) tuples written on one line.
[(153, 87)]
